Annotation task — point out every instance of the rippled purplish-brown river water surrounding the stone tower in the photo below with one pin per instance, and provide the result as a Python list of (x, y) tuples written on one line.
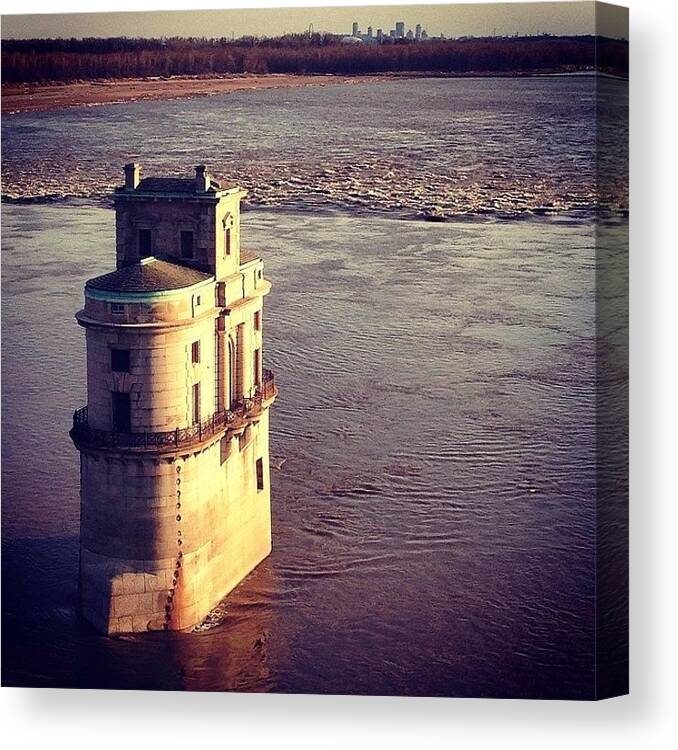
[(434, 446)]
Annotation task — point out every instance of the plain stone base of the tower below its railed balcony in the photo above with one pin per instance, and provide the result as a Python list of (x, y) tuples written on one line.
[(165, 538)]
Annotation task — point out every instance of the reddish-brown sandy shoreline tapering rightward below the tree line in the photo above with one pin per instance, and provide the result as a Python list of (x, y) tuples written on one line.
[(34, 98)]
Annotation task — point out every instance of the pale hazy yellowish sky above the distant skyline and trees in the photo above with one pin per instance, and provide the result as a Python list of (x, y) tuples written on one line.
[(451, 20)]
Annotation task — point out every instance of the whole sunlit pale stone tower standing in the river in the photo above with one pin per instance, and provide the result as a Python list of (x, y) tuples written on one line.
[(174, 465)]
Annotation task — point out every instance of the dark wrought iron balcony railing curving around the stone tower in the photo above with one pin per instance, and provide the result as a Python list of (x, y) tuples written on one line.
[(230, 419)]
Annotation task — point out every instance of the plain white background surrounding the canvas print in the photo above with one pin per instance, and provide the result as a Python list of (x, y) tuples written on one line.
[(102, 720)]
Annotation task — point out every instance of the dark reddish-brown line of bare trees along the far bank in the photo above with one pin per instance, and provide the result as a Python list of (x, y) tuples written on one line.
[(64, 60)]
